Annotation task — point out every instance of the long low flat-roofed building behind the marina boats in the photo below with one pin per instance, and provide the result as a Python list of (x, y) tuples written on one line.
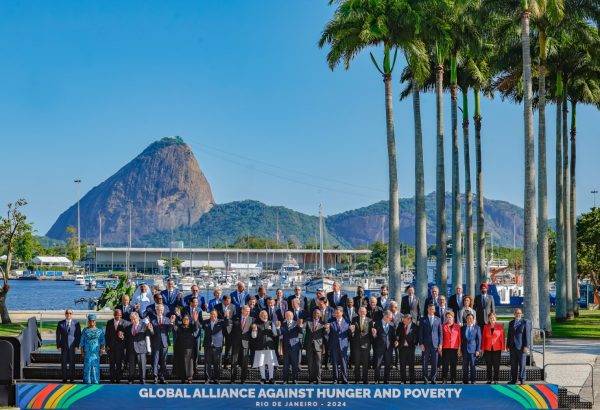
[(151, 260)]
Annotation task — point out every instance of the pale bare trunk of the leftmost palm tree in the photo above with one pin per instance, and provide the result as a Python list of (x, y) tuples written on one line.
[(394, 209)]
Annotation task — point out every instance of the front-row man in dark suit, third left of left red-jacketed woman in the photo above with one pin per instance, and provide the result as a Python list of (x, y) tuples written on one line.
[(384, 336)]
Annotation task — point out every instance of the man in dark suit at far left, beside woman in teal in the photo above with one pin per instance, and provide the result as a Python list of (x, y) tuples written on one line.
[(68, 336)]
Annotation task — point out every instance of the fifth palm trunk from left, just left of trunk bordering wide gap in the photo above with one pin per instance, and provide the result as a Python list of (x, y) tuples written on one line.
[(469, 268)]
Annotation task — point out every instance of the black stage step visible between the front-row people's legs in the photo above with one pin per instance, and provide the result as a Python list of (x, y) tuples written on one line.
[(52, 371)]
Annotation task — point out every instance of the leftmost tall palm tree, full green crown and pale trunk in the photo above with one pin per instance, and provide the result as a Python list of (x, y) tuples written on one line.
[(356, 25)]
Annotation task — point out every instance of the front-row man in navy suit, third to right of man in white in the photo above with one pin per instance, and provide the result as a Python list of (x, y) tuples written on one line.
[(338, 332)]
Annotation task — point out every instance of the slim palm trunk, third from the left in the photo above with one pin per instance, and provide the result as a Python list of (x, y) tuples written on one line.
[(440, 186)]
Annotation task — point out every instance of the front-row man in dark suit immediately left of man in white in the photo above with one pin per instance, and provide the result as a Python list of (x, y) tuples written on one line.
[(238, 330)]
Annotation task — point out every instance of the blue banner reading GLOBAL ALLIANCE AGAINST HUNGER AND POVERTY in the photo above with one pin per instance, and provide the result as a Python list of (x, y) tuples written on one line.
[(242, 397)]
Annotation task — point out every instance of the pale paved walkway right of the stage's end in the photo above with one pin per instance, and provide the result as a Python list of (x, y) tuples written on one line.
[(572, 359)]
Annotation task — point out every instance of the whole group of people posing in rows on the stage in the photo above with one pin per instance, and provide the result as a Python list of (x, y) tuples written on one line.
[(242, 330)]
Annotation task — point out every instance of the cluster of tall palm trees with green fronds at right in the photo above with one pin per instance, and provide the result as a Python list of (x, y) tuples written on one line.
[(533, 52)]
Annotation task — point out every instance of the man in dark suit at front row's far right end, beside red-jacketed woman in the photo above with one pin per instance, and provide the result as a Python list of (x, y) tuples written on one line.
[(518, 341)]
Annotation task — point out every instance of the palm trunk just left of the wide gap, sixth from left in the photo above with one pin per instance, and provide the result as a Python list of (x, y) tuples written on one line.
[(481, 269)]
